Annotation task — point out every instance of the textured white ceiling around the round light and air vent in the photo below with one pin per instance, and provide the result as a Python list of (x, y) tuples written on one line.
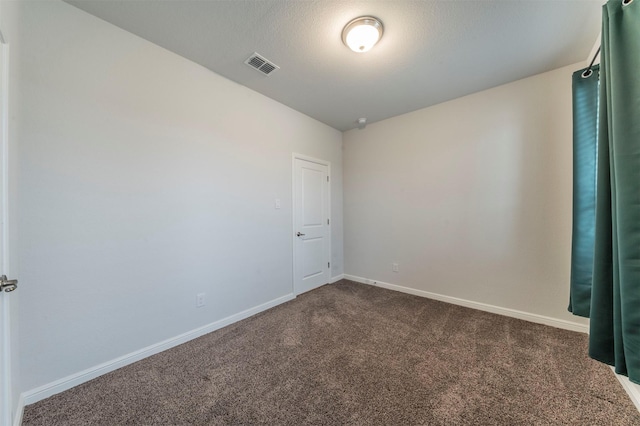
[(431, 51)]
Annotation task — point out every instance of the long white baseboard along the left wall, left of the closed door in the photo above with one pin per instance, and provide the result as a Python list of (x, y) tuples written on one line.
[(45, 391)]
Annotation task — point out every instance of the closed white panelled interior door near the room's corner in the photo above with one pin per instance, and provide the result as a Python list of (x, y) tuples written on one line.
[(311, 224)]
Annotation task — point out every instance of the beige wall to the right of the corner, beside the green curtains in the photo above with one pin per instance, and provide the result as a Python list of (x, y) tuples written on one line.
[(471, 197)]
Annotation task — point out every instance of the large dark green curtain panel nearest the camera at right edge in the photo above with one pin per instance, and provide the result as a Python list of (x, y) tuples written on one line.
[(615, 294)]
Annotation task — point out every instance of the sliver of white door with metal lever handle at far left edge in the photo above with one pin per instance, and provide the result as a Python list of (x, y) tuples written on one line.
[(6, 388)]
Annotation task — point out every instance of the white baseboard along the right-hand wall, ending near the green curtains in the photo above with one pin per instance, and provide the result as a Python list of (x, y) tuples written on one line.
[(527, 316)]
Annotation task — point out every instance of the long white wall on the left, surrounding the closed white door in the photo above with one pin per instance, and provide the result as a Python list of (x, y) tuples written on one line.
[(143, 179)]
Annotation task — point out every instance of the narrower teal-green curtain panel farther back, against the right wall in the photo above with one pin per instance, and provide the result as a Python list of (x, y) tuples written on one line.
[(585, 86)]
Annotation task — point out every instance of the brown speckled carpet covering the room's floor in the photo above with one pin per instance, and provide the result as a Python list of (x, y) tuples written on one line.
[(354, 354)]
